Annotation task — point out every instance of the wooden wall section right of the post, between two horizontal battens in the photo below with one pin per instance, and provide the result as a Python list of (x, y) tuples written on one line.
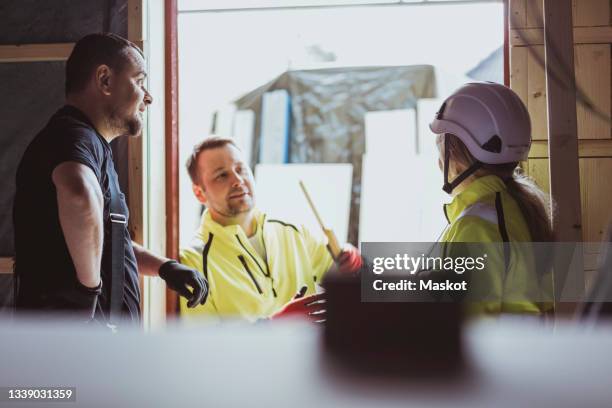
[(592, 63)]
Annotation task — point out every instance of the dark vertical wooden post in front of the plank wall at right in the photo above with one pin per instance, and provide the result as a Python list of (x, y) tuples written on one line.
[(563, 148)]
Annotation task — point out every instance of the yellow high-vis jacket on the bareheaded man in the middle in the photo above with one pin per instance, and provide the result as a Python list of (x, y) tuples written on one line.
[(242, 283)]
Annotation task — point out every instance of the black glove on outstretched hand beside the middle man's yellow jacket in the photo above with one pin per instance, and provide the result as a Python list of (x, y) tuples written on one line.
[(180, 278)]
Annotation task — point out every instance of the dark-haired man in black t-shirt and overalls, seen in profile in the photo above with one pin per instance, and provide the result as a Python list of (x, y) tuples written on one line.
[(66, 186)]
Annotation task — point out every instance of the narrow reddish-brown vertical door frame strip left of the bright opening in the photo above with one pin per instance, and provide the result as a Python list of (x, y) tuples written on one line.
[(172, 151)]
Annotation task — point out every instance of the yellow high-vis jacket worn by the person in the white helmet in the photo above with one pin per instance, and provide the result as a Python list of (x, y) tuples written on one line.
[(486, 213)]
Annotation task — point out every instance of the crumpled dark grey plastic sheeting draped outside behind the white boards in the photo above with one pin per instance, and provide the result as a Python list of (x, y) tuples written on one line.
[(328, 110)]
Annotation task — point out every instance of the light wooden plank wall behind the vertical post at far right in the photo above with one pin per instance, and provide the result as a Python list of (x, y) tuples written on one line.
[(592, 56)]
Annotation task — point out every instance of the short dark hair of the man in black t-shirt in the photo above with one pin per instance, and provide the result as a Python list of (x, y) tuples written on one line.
[(92, 51)]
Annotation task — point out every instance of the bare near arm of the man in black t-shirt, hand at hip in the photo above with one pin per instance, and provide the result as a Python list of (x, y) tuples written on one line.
[(80, 206)]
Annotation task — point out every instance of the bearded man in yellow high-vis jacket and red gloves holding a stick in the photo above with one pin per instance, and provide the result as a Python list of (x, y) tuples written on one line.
[(256, 267)]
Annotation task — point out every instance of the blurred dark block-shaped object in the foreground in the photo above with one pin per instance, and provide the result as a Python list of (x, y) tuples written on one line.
[(393, 337)]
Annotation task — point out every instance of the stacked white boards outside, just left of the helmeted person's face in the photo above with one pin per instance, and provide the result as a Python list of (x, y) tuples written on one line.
[(397, 182)]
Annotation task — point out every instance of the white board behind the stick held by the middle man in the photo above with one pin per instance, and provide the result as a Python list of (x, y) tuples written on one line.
[(329, 185)]
